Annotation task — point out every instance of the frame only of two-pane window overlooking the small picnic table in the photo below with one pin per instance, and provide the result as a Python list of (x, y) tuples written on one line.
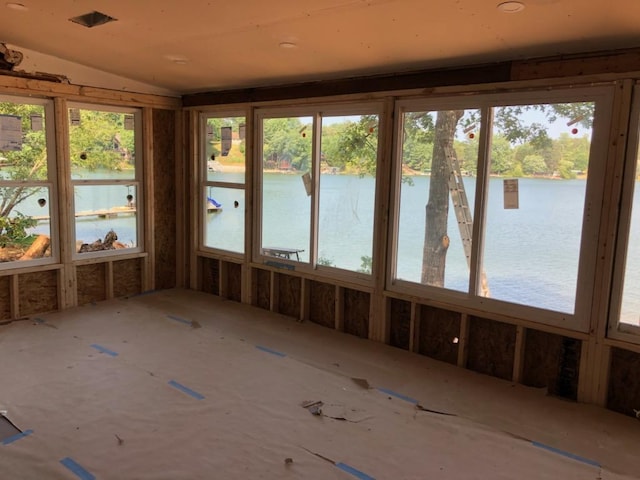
[(316, 112)]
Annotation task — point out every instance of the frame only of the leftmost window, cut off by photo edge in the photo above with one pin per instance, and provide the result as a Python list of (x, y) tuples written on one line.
[(51, 182)]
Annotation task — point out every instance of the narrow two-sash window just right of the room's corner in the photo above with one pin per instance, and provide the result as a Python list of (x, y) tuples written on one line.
[(222, 191)]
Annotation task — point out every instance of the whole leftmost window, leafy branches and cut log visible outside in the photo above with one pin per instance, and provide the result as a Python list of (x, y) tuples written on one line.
[(27, 179)]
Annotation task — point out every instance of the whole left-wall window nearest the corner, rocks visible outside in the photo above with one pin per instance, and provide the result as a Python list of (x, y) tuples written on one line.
[(105, 169)]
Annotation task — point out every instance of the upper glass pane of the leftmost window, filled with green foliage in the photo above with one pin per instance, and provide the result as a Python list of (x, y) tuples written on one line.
[(23, 145)]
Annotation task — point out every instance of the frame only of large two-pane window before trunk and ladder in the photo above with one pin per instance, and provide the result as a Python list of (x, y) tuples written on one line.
[(470, 300)]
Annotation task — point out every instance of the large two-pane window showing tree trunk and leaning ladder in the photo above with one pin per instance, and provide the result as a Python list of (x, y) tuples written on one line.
[(492, 198)]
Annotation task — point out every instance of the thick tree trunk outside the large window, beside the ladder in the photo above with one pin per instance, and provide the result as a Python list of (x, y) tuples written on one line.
[(436, 240)]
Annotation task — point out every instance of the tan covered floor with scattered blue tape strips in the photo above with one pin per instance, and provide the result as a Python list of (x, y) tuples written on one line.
[(183, 385)]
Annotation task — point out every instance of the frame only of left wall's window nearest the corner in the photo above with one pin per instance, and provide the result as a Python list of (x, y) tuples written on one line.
[(137, 181)]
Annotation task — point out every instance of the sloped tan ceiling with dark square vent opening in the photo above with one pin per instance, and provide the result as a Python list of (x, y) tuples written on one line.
[(190, 46)]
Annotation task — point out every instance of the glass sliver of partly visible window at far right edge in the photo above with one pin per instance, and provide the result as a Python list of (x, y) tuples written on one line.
[(630, 308)]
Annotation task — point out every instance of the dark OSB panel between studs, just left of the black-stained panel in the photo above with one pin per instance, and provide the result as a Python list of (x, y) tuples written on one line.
[(491, 347)]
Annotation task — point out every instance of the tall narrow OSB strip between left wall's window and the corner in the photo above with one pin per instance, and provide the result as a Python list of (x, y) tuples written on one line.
[(164, 192)]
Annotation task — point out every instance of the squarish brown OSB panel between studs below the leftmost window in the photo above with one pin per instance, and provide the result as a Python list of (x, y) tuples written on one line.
[(38, 292)]
